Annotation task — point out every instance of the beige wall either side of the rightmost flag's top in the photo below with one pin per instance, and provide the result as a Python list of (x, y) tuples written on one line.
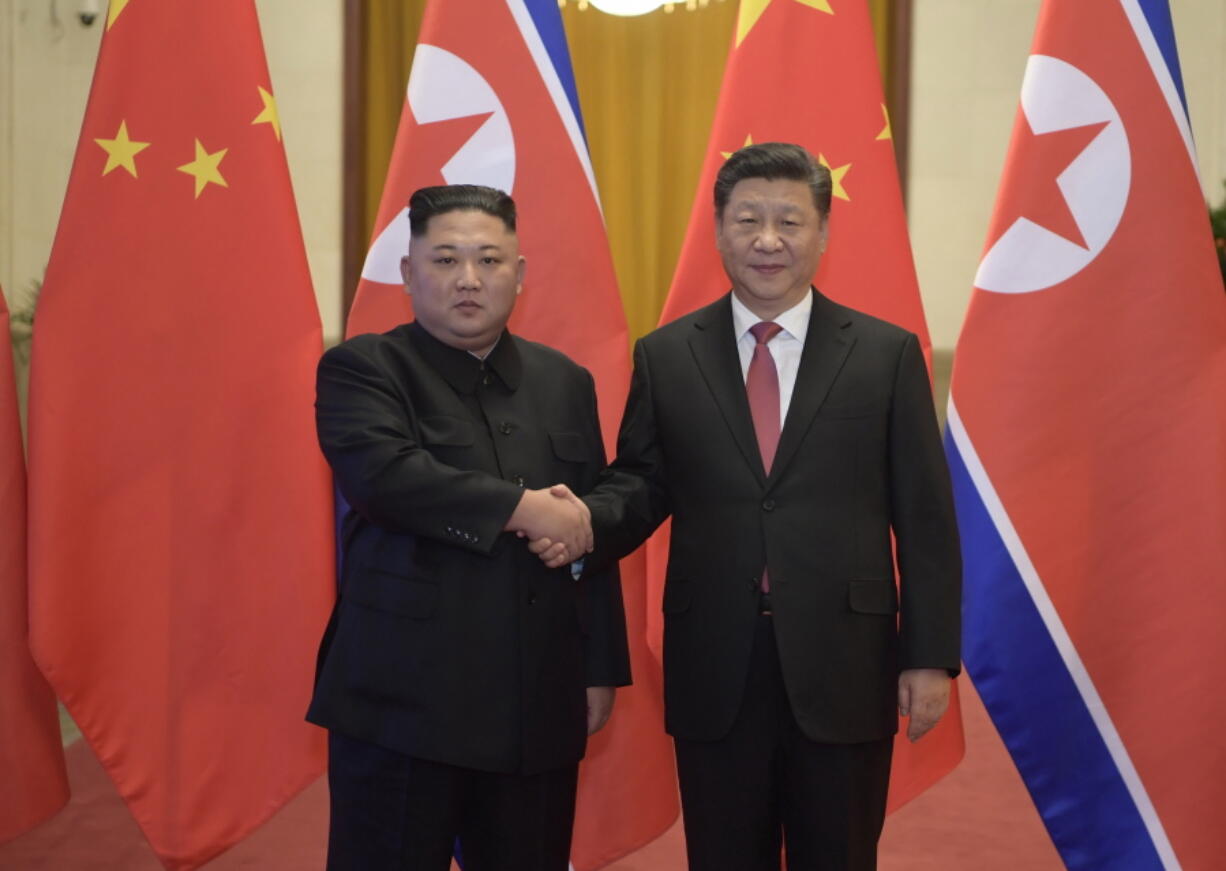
[(969, 57)]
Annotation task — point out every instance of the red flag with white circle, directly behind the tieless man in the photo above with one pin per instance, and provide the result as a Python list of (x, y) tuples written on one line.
[(491, 100)]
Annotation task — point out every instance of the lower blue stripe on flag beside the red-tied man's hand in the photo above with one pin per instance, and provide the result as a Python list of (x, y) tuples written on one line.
[(1035, 705)]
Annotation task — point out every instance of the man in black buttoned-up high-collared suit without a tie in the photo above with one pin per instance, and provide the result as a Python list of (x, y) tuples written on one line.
[(460, 677)]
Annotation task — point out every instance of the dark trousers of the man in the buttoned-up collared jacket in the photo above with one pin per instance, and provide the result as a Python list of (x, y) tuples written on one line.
[(397, 813)]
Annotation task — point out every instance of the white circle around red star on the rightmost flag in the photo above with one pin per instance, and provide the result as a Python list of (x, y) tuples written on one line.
[(1059, 96)]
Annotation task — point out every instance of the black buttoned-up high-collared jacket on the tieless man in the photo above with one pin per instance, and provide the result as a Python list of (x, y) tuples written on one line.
[(451, 641)]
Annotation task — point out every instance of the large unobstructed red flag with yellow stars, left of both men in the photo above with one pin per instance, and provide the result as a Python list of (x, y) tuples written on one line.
[(181, 531)]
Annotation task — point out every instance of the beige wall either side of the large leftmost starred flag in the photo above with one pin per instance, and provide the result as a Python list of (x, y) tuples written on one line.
[(46, 68)]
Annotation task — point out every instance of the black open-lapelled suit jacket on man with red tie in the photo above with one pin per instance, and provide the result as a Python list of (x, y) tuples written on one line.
[(859, 457)]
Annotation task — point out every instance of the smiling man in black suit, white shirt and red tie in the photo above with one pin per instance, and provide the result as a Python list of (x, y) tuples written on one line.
[(789, 651)]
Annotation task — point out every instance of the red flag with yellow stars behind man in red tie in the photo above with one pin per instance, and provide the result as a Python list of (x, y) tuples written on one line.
[(806, 72)]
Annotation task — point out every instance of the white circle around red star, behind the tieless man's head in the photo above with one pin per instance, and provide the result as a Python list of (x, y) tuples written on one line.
[(443, 86)]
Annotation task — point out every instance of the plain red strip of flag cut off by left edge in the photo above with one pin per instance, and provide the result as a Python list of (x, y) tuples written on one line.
[(31, 759)]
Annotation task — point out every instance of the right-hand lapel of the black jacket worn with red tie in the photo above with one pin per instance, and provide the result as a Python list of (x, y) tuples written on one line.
[(827, 347)]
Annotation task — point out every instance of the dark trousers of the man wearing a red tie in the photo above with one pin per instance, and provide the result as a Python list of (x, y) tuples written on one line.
[(766, 785)]
